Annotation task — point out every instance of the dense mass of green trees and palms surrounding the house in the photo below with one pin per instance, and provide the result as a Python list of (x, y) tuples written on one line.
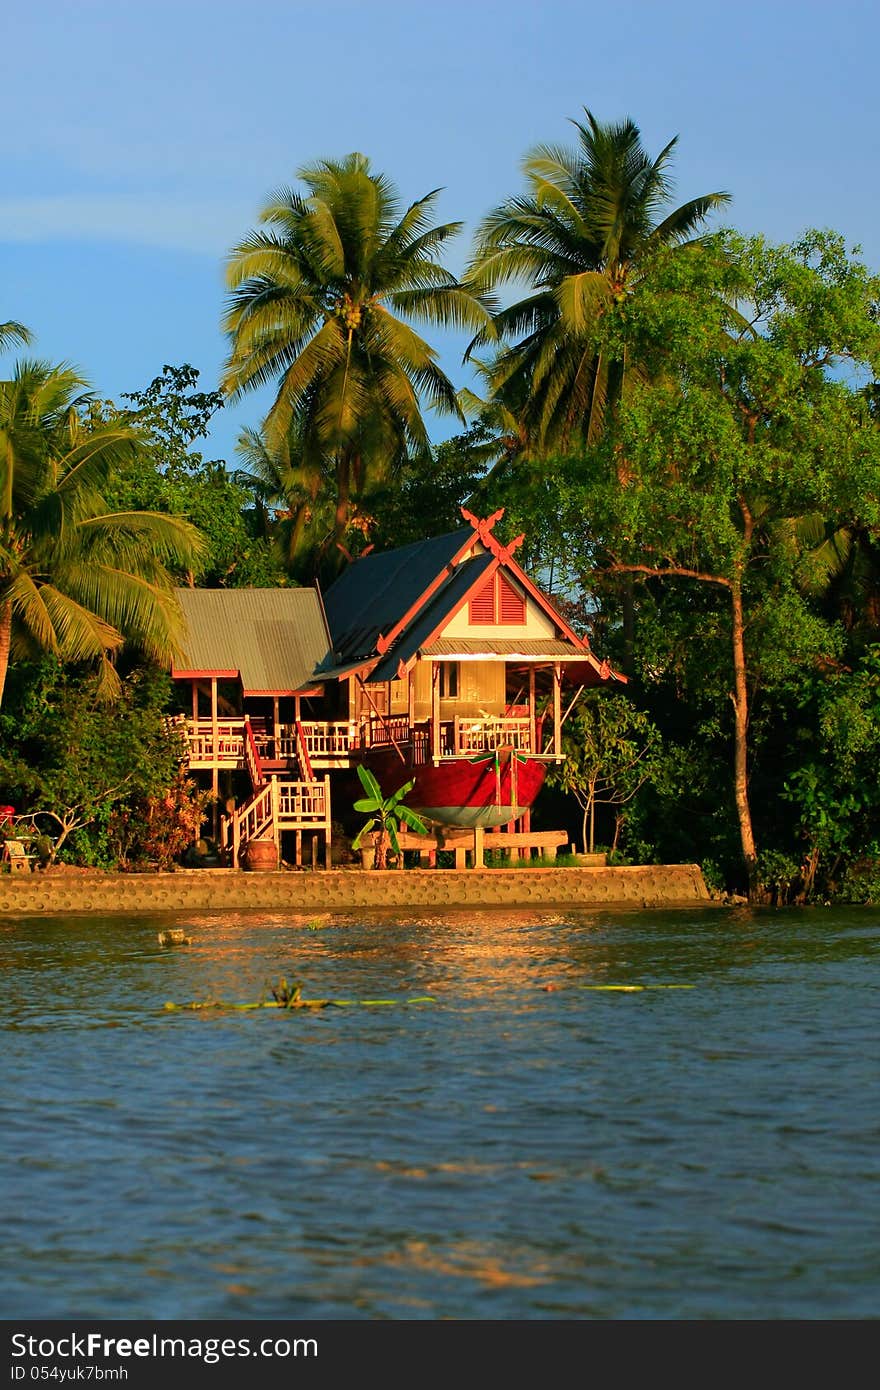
[(685, 425)]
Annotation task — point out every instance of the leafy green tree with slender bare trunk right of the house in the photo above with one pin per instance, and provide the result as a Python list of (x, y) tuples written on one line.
[(763, 427)]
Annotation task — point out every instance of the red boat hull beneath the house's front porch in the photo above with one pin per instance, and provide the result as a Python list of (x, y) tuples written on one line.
[(469, 793)]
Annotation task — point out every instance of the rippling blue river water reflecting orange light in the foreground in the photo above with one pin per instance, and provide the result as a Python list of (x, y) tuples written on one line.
[(526, 1147)]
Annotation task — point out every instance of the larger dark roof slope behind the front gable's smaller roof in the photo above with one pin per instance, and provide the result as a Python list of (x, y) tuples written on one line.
[(373, 594)]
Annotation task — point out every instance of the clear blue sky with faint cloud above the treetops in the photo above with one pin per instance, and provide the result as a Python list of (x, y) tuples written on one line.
[(140, 141)]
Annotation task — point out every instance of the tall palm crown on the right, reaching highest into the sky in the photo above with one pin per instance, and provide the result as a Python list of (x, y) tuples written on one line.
[(580, 238)]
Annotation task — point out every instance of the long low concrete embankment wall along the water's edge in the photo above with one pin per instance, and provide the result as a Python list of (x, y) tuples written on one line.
[(345, 890)]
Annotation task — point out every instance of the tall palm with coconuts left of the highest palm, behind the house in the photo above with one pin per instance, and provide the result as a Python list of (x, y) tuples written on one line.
[(320, 301)]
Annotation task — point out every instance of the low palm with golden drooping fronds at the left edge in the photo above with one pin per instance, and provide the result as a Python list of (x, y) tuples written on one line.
[(76, 579)]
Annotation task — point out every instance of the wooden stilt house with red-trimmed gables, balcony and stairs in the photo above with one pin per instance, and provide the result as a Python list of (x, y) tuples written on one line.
[(439, 664)]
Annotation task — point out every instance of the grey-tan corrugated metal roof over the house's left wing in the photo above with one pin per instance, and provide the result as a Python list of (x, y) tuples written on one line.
[(273, 637)]
